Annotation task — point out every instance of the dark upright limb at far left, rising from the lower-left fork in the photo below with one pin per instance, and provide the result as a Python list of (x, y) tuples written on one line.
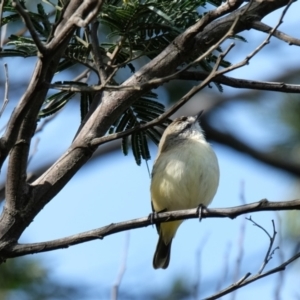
[(18, 135)]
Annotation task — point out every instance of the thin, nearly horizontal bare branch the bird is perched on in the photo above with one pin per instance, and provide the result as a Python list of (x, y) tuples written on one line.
[(100, 233)]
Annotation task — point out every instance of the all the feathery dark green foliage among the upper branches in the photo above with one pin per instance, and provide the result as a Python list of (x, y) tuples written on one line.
[(134, 29)]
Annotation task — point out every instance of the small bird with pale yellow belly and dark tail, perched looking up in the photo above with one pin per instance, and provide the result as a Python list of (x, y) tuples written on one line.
[(185, 175)]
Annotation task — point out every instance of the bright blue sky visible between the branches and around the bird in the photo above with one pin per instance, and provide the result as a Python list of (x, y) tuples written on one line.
[(113, 189)]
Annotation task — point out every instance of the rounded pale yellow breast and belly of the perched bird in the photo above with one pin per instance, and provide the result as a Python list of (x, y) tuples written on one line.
[(184, 177)]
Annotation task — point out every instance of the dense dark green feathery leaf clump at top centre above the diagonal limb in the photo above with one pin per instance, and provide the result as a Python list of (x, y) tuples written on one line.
[(146, 28)]
